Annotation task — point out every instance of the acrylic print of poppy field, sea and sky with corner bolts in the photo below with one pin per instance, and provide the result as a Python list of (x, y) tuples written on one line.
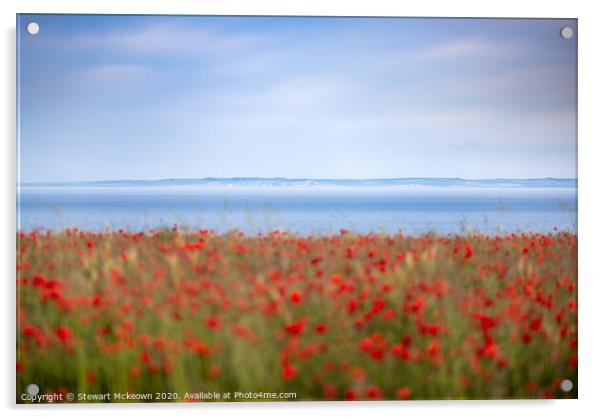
[(218, 208)]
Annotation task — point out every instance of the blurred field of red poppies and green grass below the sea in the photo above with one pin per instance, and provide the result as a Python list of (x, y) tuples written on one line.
[(334, 317)]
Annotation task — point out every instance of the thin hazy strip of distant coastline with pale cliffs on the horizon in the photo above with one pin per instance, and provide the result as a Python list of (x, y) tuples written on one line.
[(280, 182)]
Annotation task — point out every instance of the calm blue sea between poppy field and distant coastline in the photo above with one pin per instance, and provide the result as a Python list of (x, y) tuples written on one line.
[(305, 211)]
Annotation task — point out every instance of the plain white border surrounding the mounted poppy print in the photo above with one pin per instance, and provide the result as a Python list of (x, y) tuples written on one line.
[(590, 289)]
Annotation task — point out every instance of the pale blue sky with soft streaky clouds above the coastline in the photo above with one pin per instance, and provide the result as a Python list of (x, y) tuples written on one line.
[(153, 97)]
